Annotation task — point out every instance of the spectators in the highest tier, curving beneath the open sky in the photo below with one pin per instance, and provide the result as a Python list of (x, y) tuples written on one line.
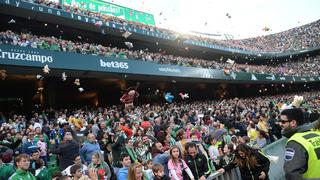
[(294, 40)]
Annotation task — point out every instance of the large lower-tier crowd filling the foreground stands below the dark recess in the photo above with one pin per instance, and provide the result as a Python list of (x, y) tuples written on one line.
[(177, 140)]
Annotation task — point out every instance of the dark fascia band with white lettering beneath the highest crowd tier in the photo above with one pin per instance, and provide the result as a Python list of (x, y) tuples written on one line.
[(145, 40)]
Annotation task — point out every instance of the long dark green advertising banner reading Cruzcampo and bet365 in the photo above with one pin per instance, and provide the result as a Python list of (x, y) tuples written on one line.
[(22, 56)]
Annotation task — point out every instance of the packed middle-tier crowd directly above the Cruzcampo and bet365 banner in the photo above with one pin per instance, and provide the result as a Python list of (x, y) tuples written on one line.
[(304, 67)]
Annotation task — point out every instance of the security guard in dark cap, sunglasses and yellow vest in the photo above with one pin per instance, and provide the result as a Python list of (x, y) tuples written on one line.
[(302, 153)]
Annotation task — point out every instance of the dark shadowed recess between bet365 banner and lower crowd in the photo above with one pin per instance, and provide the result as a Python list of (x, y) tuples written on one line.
[(22, 91)]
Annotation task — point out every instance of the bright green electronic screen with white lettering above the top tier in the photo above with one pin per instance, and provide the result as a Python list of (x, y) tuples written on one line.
[(112, 10)]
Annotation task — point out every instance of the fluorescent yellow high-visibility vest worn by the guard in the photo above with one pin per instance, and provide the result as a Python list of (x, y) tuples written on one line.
[(311, 142)]
